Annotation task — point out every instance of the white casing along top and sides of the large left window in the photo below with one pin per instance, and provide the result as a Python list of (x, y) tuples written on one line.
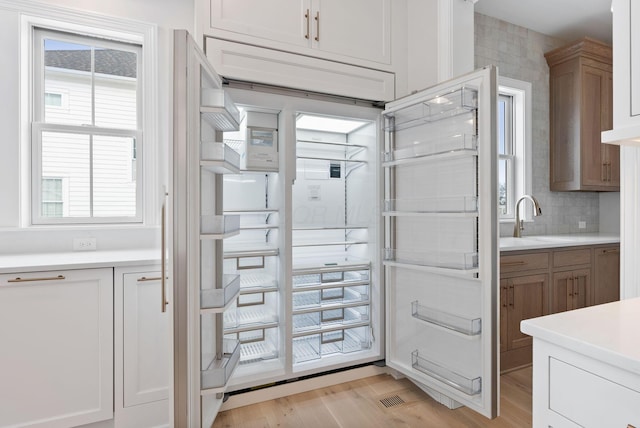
[(126, 30)]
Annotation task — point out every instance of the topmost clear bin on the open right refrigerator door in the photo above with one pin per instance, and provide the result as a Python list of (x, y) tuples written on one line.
[(460, 101)]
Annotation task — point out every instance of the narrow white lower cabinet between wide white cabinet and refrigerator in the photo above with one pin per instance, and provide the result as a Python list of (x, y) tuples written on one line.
[(142, 349)]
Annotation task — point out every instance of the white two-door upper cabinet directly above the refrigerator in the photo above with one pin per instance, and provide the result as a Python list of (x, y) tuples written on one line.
[(357, 32)]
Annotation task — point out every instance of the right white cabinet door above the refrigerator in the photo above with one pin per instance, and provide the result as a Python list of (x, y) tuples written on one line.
[(356, 28)]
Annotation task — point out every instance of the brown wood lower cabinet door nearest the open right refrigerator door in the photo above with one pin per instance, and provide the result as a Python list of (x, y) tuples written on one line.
[(526, 299)]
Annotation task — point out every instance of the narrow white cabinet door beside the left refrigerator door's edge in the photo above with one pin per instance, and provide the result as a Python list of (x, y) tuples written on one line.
[(146, 342)]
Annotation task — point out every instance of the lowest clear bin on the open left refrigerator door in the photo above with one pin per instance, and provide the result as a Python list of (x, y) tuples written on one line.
[(216, 373)]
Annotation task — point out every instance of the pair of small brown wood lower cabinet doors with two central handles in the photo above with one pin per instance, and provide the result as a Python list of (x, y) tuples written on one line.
[(571, 290)]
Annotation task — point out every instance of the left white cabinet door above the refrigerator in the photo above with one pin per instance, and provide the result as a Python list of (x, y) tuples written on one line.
[(282, 21)]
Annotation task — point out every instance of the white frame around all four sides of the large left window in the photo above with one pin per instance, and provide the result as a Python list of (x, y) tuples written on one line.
[(117, 29)]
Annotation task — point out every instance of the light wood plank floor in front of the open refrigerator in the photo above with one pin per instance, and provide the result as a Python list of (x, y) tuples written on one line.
[(357, 405)]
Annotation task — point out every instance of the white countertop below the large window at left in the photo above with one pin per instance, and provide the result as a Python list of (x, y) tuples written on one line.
[(10, 263)]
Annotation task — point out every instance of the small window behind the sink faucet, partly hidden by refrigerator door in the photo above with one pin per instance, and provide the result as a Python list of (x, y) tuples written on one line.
[(514, 144)]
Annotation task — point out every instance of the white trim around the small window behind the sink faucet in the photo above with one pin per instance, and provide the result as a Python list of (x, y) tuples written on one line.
[(521, 92)]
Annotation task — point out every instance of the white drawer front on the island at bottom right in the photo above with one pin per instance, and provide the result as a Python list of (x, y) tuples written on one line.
[(591, 400)]
